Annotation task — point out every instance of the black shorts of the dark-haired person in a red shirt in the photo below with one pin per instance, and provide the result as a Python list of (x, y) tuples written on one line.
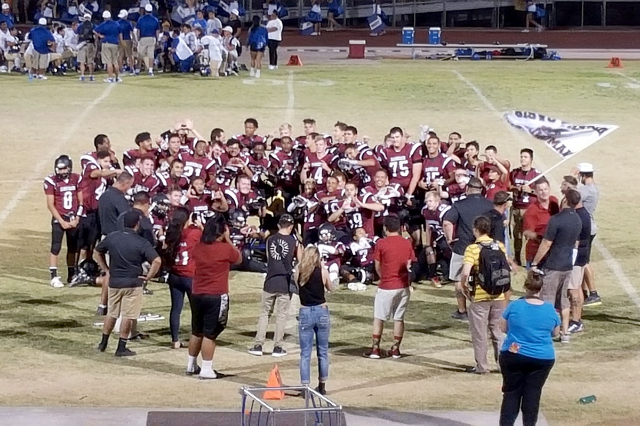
[(209, 315)]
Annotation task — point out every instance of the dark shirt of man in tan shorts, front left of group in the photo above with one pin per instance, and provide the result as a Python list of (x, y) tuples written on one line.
[(127, 252)]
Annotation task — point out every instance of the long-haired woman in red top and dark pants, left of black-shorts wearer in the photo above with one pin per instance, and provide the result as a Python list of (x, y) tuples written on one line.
[(182, 236)]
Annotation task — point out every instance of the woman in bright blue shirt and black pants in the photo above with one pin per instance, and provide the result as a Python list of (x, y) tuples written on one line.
[(527, 354)]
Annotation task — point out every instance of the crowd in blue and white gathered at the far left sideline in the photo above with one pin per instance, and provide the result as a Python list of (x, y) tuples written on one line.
[(136, 41)]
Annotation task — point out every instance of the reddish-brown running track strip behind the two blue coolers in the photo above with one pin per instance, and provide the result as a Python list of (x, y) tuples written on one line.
[(606, 39)]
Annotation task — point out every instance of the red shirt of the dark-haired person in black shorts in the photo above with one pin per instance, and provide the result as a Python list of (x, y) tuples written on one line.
[(212, 264)]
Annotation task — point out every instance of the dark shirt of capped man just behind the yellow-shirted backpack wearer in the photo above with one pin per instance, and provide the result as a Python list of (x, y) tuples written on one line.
[(462, 214)]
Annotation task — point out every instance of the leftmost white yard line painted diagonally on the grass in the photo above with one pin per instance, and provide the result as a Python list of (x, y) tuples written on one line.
[(55, 149)]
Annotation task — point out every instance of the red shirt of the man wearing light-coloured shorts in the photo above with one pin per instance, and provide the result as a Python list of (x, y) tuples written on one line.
[(393, 253)]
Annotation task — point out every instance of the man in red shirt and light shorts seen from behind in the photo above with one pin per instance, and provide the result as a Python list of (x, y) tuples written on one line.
[(393, 257)]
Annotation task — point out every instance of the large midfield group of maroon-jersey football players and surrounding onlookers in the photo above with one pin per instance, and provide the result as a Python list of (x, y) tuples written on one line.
[(318, 212)]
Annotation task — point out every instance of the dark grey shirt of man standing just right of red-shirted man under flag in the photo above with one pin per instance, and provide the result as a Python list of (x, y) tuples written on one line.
[(563, 231)]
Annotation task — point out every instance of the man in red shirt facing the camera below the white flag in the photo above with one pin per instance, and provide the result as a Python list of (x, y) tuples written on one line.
[(537, 217)]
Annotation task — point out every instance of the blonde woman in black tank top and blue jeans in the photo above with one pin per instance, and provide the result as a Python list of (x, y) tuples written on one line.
[(314, 318)]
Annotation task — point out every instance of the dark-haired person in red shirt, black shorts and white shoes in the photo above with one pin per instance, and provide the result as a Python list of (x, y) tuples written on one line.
[(213, 257)]
